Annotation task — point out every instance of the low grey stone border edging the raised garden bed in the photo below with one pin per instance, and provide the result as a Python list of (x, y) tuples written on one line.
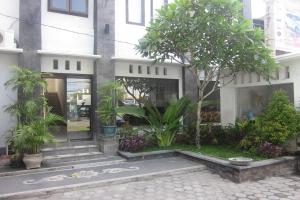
[(255, 171)]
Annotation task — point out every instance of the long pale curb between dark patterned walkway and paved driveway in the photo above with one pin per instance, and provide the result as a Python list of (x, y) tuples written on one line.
[(136, 178)]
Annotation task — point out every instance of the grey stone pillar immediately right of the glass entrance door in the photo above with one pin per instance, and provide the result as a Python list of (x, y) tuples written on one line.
[(104, 18)]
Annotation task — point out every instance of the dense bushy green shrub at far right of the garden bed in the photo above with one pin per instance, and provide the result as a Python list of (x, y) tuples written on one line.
[(280, 122)]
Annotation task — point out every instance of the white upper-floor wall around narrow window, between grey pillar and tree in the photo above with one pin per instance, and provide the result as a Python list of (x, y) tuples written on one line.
[(130, 33)]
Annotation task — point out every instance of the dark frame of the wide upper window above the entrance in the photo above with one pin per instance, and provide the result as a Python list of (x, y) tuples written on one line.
[(68, 11)]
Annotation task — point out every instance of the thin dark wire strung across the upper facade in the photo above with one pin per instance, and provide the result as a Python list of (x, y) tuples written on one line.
[(59, 28)]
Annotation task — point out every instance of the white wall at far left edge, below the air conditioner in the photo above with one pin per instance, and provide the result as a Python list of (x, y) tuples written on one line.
[(7, 96)]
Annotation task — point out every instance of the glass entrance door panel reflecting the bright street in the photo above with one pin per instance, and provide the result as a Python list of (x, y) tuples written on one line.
[(78, 106)]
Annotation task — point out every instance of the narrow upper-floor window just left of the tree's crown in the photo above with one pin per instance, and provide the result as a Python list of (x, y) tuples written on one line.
[(135, 12)]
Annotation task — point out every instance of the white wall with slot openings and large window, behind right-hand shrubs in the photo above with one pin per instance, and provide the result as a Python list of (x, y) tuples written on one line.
[(250, 93)]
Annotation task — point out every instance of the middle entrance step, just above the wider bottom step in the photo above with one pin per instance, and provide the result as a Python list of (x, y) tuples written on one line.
[(53, 151)]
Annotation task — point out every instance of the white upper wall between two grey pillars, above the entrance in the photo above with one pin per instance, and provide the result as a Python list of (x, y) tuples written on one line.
[(60, 40)]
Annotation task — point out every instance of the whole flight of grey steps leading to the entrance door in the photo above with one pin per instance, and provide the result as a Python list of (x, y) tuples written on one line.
[(75, 153)]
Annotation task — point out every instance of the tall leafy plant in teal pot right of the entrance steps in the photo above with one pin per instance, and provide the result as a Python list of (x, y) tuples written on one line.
[(111, 94)]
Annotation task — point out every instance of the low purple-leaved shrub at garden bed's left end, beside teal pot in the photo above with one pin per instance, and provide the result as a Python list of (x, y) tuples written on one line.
[(132, 143)]
